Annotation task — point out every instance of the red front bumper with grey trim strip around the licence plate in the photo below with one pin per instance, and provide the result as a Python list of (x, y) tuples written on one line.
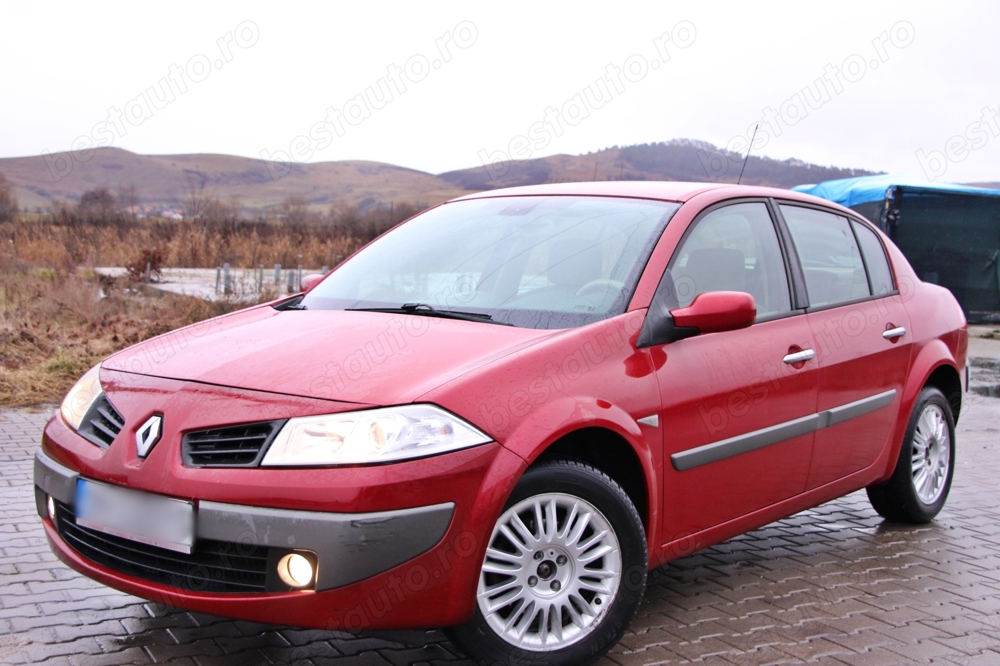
[(399, 545)]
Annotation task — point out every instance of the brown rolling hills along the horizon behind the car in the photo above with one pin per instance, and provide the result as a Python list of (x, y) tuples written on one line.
[(166, 180)]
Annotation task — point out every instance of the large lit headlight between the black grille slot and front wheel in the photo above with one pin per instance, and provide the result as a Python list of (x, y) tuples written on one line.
[(371, 436)]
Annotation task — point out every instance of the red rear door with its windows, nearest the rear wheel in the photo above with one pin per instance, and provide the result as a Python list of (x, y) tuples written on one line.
[(861, 328)]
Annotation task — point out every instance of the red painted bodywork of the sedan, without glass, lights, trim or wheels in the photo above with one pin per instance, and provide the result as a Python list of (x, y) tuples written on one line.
[(526, 389)]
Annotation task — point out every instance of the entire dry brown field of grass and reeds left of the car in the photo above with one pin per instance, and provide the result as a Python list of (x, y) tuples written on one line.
[(58, 318)]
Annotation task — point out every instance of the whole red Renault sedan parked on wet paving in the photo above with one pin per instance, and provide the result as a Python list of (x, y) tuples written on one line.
[(500, 415)]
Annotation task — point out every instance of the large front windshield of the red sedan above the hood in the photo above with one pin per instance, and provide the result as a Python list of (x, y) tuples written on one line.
[(535, 262)]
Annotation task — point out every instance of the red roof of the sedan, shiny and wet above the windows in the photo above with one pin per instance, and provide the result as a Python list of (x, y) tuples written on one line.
[(645, 189)]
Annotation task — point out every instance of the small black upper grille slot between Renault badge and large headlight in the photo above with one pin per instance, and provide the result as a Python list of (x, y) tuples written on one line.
[(232, 446)]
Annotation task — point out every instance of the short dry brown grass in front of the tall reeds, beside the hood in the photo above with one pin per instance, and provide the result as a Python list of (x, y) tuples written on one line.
[(57, 323)]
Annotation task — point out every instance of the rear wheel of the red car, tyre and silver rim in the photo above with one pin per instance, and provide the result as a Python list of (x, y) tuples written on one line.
[(912, 494)]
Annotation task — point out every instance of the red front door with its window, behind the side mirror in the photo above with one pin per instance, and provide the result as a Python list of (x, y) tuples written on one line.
[(733, 402)]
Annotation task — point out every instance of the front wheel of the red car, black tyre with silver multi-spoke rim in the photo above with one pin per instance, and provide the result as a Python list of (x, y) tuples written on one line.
[(543, 598)]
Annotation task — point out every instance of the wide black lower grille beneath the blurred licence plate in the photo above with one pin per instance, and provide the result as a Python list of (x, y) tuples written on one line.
[(212, 566)]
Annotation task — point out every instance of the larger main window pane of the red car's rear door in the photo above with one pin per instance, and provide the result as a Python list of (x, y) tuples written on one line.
[(829, 255)]
